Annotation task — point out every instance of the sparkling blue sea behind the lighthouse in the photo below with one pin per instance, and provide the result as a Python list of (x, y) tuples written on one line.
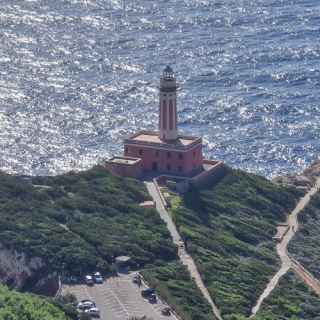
[(77, 76)]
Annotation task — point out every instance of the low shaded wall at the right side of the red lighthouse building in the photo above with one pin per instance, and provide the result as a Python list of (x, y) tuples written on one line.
[(216, 172)]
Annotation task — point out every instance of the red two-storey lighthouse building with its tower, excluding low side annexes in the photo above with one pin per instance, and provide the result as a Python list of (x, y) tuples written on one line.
[(166, 150)]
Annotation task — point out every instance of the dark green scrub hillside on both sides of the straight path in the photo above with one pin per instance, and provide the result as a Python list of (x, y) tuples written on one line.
[(78, 222)]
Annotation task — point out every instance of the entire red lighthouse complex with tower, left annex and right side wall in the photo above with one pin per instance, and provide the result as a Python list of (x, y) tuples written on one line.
[(165, 151)]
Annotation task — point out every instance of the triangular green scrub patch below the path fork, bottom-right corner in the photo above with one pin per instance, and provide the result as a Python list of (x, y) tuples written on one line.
[(291, 300)]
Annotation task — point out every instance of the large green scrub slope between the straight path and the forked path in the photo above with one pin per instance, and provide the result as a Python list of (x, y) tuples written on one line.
[(228, 230)]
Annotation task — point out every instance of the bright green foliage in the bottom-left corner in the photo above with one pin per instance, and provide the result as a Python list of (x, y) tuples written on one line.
[(18, 306)]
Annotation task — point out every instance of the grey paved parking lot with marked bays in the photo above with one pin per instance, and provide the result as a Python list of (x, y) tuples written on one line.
[(119, 298)]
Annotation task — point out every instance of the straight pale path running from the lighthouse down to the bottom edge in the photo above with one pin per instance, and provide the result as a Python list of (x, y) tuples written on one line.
[(185, 258)]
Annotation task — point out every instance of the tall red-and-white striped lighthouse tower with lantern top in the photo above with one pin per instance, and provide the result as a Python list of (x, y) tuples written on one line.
[(168, 130)]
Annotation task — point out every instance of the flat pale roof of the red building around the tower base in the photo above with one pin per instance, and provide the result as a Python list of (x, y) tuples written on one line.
[(152, 138)]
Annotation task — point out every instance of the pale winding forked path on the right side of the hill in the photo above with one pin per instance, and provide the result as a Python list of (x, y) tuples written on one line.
[(286, 262)]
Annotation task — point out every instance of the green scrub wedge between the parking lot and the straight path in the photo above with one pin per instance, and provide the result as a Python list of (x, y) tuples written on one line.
[(172, 282)]
